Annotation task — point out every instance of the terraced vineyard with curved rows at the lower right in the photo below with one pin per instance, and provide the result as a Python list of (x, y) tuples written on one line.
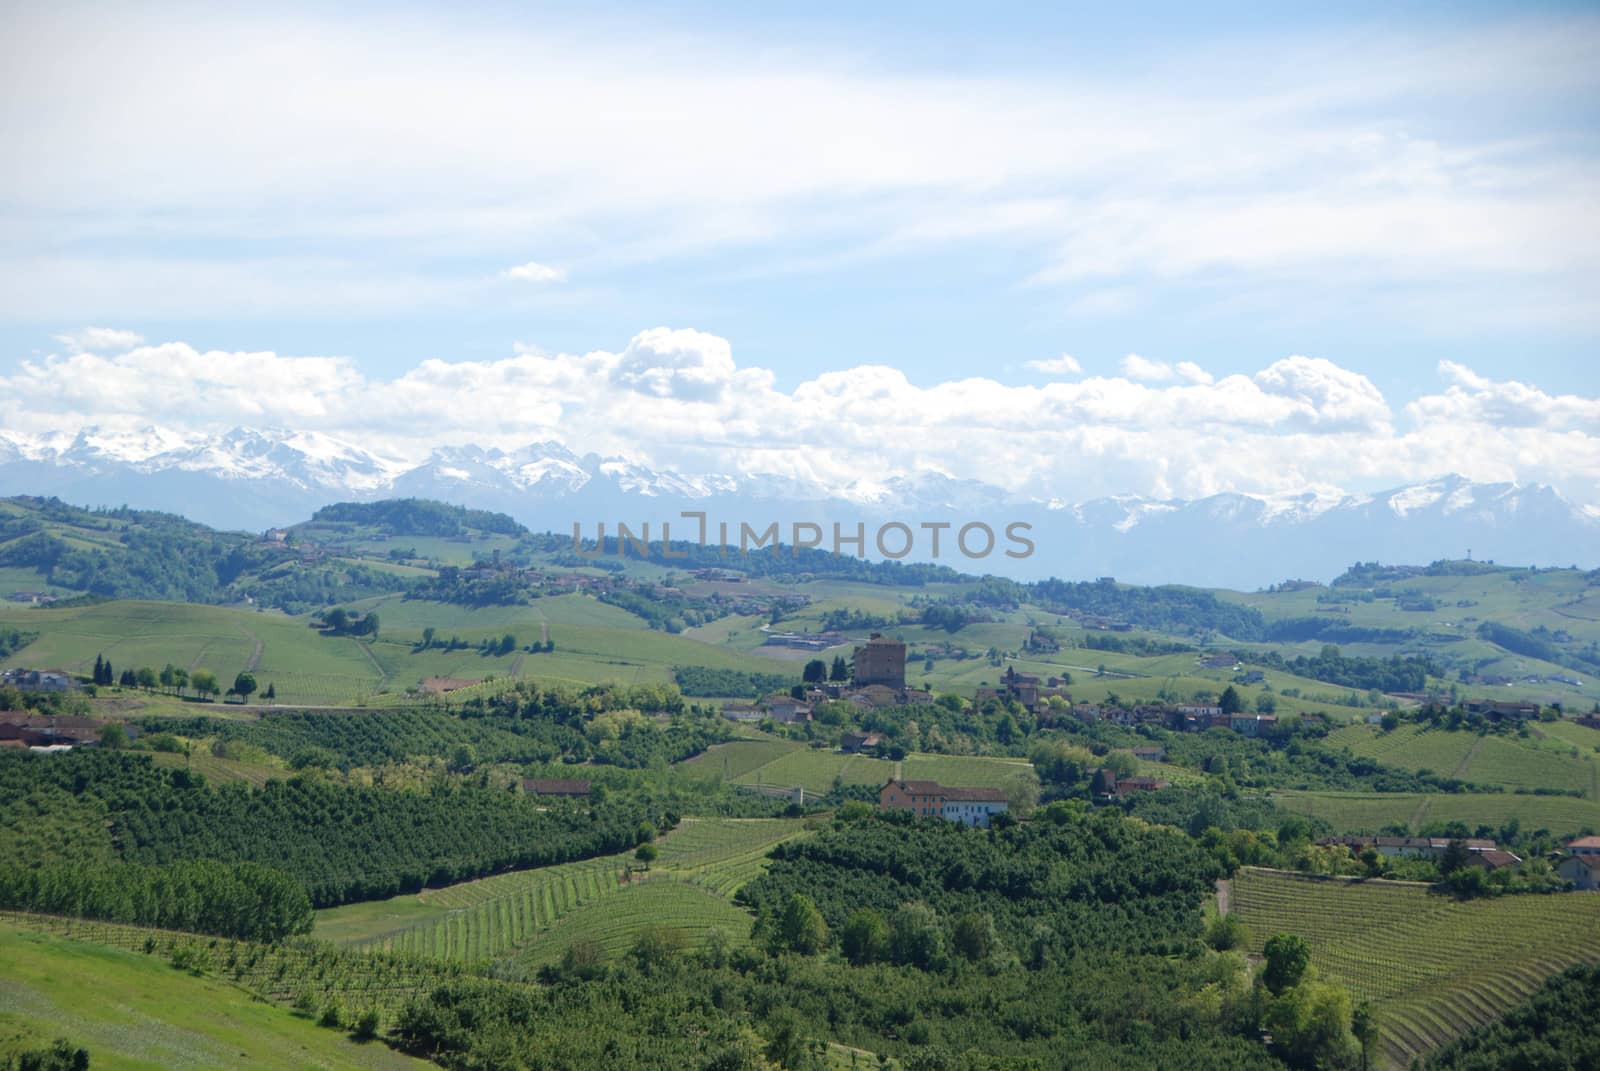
[(1434, 966)]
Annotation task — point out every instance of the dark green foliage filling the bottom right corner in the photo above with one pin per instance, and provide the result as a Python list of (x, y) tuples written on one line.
[(1558, 1029)]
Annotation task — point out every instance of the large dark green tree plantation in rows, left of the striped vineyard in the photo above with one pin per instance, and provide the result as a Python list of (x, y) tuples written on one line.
[(342, 843)]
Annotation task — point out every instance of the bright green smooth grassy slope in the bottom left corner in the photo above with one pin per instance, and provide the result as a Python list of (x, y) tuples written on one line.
[(134, 1013)]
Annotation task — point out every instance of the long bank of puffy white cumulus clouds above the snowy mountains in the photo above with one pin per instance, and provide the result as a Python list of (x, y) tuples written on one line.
[(676, 398)]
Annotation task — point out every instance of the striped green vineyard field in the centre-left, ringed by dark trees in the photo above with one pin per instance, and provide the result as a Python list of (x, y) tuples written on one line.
[(703, 862)]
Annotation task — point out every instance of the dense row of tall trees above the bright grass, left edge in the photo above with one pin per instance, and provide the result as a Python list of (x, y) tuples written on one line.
[(241, 901)]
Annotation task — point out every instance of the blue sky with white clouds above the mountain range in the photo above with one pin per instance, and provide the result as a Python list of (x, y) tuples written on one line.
[(1068, 251)]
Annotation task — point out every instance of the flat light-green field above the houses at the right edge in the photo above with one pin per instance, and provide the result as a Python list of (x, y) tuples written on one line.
[(1372, 812)]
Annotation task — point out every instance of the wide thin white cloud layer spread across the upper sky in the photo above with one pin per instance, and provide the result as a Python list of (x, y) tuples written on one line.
[(1346, 162)]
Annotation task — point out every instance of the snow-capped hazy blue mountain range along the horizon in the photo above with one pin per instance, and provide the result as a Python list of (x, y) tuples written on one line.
[(262, 478)]
